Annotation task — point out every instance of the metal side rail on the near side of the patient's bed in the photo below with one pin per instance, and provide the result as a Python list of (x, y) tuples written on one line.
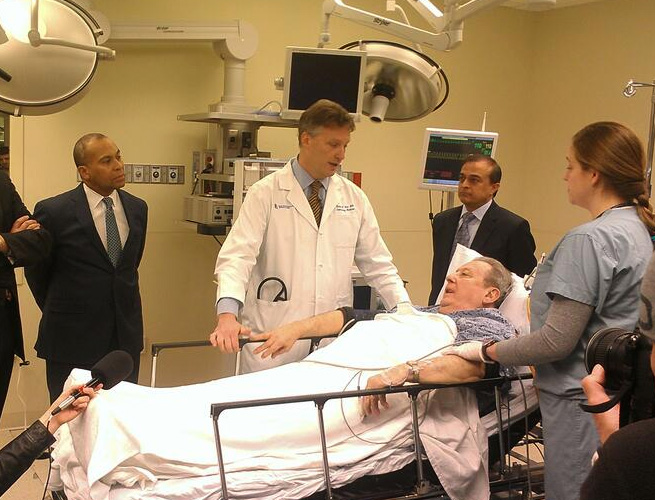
[(320, 399)]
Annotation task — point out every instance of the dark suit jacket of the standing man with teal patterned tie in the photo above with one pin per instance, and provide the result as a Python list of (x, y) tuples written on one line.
[(87, 304)]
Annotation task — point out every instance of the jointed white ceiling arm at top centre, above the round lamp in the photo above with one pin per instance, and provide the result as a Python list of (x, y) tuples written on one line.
[(447, 26)]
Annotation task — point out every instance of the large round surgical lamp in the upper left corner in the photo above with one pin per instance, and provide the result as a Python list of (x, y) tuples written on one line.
[(49, 54)]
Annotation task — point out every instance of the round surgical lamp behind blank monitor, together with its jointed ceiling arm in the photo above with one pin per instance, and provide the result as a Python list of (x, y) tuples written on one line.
[(403, 84)]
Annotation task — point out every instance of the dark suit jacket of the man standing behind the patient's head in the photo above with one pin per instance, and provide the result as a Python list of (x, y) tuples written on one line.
[(502, 235)]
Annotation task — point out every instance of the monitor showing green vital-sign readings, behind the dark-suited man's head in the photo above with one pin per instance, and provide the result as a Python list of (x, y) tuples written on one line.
[(444, 152)]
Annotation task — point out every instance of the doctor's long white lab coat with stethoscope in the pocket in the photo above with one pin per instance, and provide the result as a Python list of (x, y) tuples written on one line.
[(276, 235)]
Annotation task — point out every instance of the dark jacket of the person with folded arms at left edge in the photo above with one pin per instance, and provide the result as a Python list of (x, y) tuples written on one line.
[(26, 247)]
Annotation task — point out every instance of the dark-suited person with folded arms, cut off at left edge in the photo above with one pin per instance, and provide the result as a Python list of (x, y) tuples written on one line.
[(22, 242)]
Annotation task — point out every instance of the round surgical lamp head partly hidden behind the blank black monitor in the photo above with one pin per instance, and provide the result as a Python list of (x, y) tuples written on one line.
[(400, 84)]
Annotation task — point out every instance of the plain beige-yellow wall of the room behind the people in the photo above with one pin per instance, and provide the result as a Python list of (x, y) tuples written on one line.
[(539, 76)]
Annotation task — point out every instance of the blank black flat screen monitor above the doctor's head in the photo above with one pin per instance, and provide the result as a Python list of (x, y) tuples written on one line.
[(312, 74)]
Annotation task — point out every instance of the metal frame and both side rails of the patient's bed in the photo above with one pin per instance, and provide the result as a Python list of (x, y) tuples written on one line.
[(516, 412)]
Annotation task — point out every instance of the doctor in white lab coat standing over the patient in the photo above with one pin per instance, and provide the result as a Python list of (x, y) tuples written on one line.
[(290, 252)]
